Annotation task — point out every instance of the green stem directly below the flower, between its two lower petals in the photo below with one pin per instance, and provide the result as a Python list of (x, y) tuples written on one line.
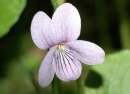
[(55, 85)]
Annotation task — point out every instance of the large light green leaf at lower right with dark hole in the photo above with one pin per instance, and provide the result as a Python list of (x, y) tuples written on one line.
[(115, 72)]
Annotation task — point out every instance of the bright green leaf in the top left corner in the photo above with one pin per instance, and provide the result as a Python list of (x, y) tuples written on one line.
[(10, 11)]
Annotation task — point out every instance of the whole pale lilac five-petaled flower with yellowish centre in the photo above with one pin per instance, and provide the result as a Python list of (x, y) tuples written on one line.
[(59, 35)]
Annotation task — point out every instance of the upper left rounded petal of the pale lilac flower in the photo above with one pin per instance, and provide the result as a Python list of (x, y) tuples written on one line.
[(42, 30)]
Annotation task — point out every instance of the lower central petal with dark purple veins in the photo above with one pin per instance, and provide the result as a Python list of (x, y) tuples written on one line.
[(67, 67)]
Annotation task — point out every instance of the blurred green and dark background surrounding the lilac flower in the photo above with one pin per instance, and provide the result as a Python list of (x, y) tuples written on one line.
[(106, 23)]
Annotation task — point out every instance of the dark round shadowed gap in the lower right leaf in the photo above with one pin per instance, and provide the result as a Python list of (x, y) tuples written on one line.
[(94, 80)]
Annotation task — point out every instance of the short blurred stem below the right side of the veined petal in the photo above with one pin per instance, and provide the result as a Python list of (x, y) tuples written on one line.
[(80, 86)]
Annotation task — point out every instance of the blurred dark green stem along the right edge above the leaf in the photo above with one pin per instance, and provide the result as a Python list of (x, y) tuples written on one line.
[(124, 24)]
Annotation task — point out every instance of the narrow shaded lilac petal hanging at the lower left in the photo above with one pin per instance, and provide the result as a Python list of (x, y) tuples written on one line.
[(46, 71)]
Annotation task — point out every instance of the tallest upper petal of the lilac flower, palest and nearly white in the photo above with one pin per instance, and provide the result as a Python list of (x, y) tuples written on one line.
[(67, 22)]
